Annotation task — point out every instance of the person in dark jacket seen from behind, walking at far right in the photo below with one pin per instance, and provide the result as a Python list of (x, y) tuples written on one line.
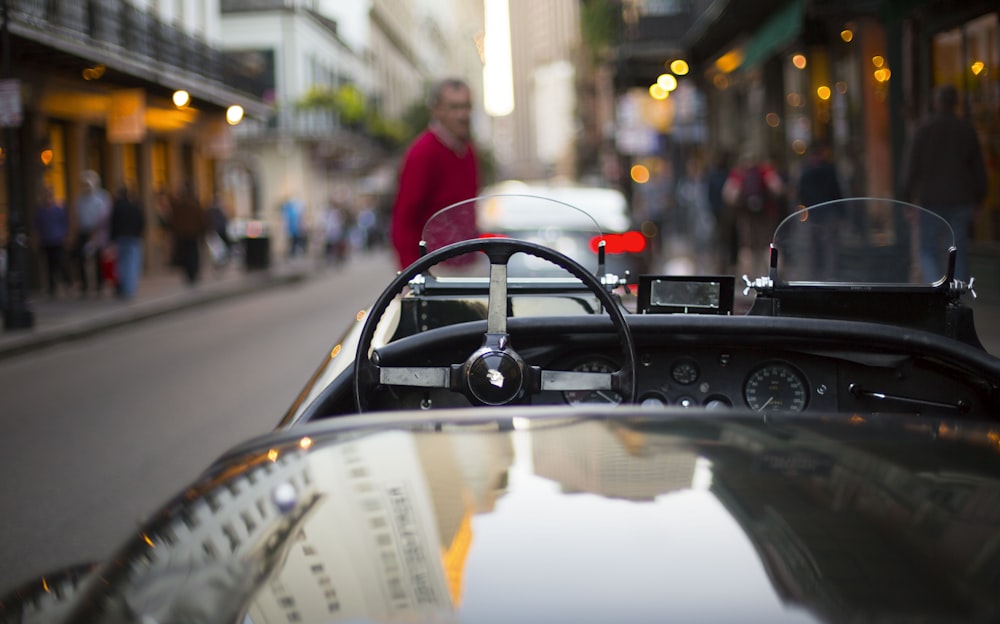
[(944, 172)]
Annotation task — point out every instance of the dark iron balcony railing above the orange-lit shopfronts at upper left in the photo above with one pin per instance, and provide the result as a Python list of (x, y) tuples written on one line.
[(118, 26)]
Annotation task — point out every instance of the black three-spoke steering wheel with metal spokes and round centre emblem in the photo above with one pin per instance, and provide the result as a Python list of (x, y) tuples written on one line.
[(494, 374)]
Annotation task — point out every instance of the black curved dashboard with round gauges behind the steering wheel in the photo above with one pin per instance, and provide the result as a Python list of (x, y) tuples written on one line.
[(713, 362)]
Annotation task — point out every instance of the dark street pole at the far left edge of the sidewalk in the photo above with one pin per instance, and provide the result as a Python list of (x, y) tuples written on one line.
[(17, 314)]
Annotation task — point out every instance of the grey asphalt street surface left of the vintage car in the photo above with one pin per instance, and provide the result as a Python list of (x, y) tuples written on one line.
[(97, 432)]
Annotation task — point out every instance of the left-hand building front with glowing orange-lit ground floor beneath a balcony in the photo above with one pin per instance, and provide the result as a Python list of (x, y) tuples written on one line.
[(94, 86)]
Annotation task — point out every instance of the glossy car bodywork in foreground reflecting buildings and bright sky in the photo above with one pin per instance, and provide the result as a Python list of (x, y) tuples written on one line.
[(569, 517)]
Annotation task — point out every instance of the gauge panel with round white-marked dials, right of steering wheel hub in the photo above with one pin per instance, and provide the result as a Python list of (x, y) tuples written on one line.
[(719, 379)]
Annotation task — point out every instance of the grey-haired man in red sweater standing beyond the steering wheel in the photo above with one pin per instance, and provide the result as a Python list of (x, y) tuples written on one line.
[(438, 170)]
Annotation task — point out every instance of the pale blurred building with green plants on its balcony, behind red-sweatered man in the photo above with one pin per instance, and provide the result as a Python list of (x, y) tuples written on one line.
[(343, 79)]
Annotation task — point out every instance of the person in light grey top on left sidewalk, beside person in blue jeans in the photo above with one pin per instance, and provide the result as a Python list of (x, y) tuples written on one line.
[(93, 211)]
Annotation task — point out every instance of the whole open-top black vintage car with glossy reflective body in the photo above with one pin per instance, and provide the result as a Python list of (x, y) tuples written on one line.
[(494, 446)]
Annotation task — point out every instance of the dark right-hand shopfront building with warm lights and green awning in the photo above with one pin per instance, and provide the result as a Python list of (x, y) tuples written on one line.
[(778, 75)]
